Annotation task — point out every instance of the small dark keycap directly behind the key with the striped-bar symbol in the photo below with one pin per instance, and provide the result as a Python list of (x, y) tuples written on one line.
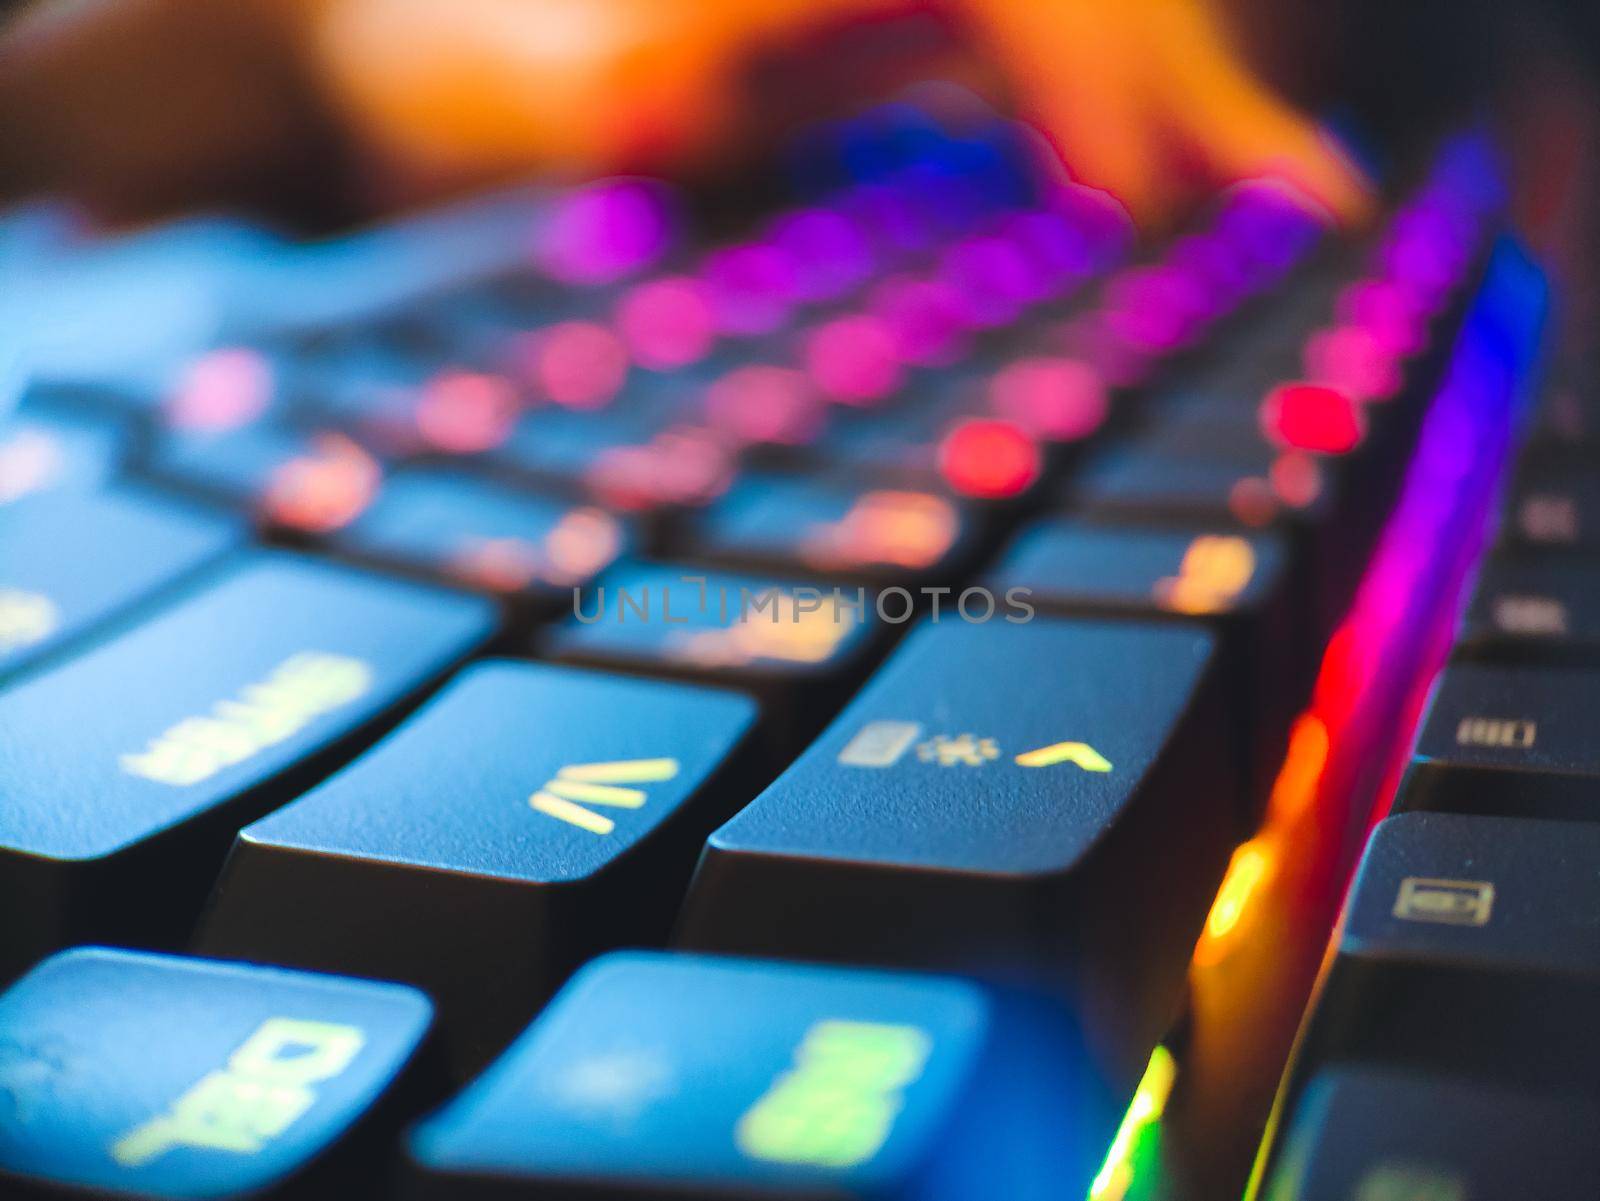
[(1534, 610)]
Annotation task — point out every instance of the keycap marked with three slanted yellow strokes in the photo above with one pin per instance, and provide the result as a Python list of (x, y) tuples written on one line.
[(526, 820)]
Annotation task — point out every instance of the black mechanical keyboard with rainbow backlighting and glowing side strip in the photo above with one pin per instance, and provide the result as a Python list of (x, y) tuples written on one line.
[(876, 701)]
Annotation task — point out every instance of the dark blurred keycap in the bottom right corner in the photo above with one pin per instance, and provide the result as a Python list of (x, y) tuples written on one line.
[(1374, 1135)]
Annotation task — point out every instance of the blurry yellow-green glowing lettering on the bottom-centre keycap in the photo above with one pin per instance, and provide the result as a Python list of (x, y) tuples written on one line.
[(838, 1104)]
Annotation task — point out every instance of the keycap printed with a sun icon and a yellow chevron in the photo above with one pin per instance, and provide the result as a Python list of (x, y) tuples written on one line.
[(1001, 800)]
